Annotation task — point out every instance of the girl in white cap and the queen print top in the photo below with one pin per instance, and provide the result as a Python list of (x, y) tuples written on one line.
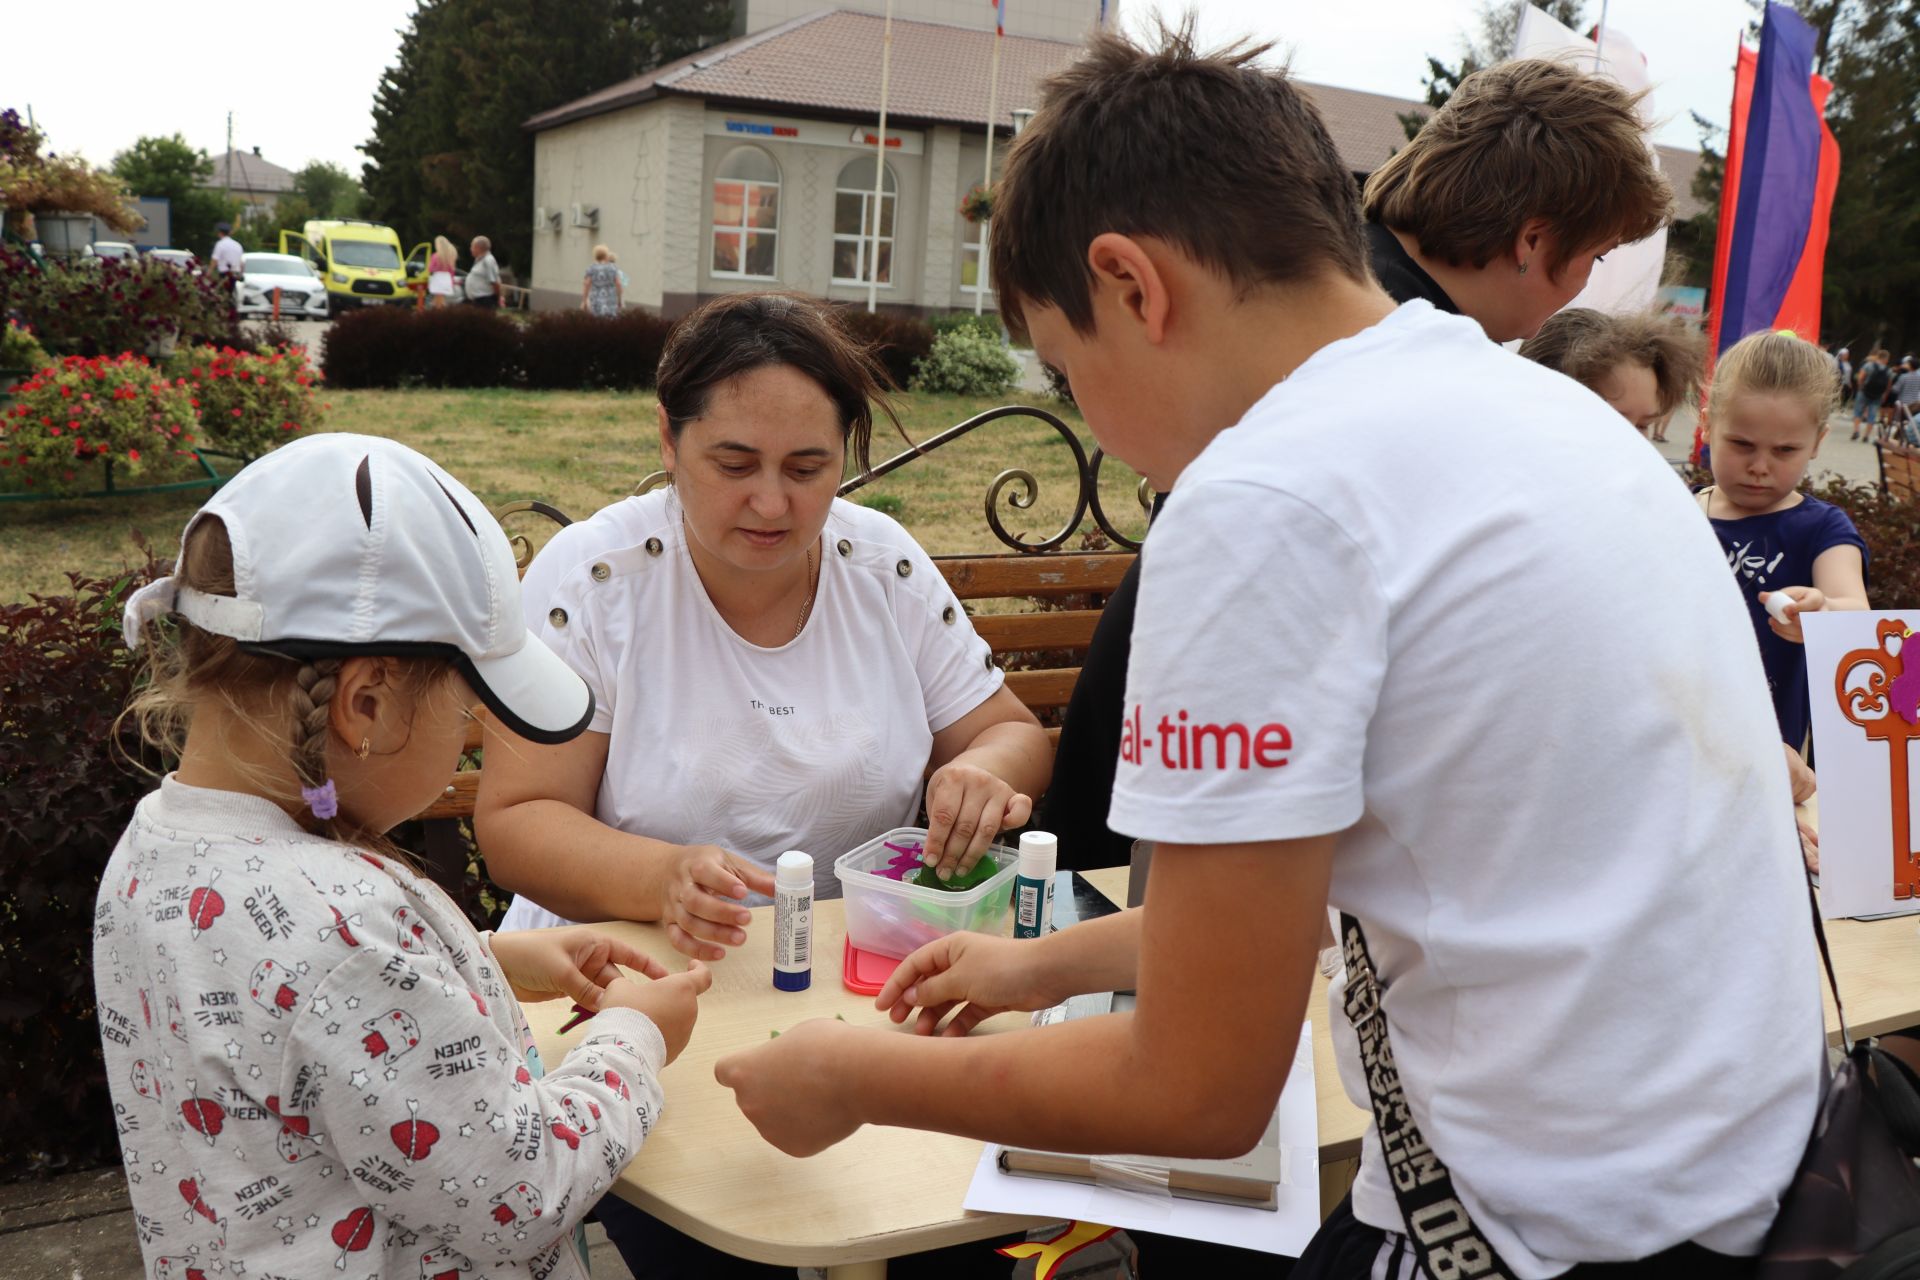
[(318, 1066)]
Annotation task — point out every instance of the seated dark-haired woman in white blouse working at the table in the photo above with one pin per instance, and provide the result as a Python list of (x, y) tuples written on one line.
[(771, 665)]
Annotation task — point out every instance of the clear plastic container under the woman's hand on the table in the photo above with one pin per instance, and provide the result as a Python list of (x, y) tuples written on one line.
[(896, 918)]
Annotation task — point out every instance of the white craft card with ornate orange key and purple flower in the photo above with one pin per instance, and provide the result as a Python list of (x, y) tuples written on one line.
[(1863, 673)]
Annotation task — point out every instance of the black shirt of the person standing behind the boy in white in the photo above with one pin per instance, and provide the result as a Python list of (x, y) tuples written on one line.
[(1088, 757)]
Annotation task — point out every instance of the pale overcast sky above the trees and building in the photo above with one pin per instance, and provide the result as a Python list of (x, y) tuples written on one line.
[(299, 99)]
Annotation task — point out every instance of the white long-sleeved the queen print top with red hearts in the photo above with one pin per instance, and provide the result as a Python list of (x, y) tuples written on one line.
[(320, 1070)]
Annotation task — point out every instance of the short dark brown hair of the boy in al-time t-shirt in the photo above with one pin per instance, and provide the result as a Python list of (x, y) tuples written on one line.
[(1209, 153)]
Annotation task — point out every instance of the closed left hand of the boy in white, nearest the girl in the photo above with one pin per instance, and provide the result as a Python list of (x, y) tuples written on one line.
[(794, 1089)]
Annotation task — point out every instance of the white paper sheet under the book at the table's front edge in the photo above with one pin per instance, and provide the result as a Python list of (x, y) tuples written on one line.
[(1284, 1231)]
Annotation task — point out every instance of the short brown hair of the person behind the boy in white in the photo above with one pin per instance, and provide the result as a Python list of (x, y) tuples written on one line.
[(1524, 141)]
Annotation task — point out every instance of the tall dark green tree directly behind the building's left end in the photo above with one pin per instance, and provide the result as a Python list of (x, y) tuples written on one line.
[(448, 154)]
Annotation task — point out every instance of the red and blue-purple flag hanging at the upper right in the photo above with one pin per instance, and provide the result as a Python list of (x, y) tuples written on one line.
[(1783, 168)]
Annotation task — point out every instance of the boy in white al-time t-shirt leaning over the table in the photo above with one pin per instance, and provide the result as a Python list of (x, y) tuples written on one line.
[(1464, 669)]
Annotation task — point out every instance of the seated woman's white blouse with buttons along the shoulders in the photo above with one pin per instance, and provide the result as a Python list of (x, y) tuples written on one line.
[(817, 746)]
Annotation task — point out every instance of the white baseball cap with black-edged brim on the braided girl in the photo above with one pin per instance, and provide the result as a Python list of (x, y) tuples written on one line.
[(360, 546)]
